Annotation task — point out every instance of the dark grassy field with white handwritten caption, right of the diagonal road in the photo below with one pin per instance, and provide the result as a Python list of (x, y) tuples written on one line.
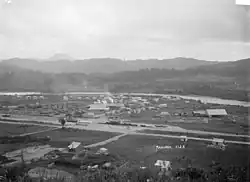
[(140, 149)]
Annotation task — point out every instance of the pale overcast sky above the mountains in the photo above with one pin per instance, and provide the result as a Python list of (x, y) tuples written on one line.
[(216, 30)]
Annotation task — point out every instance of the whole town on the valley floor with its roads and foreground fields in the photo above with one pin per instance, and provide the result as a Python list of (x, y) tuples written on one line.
[(81, 132)]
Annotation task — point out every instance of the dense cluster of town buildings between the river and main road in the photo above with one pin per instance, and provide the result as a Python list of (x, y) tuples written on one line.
[(118, 108)]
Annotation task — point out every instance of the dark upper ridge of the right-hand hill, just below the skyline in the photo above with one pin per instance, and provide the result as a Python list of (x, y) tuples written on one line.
[(235, 70)]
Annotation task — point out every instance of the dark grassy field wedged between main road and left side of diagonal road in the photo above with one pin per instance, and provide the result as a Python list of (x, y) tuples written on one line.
[(63, 137)]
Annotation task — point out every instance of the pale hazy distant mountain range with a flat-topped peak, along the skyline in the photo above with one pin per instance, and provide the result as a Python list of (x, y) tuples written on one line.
[(61, 63)]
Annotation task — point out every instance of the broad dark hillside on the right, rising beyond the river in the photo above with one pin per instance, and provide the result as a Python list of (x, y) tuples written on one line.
[(230, 80)]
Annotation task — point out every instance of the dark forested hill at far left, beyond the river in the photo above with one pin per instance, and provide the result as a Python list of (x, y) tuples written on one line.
[(14, 79)]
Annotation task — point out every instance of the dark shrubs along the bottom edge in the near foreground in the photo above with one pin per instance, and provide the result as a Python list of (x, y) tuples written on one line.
[(142, 175)]
